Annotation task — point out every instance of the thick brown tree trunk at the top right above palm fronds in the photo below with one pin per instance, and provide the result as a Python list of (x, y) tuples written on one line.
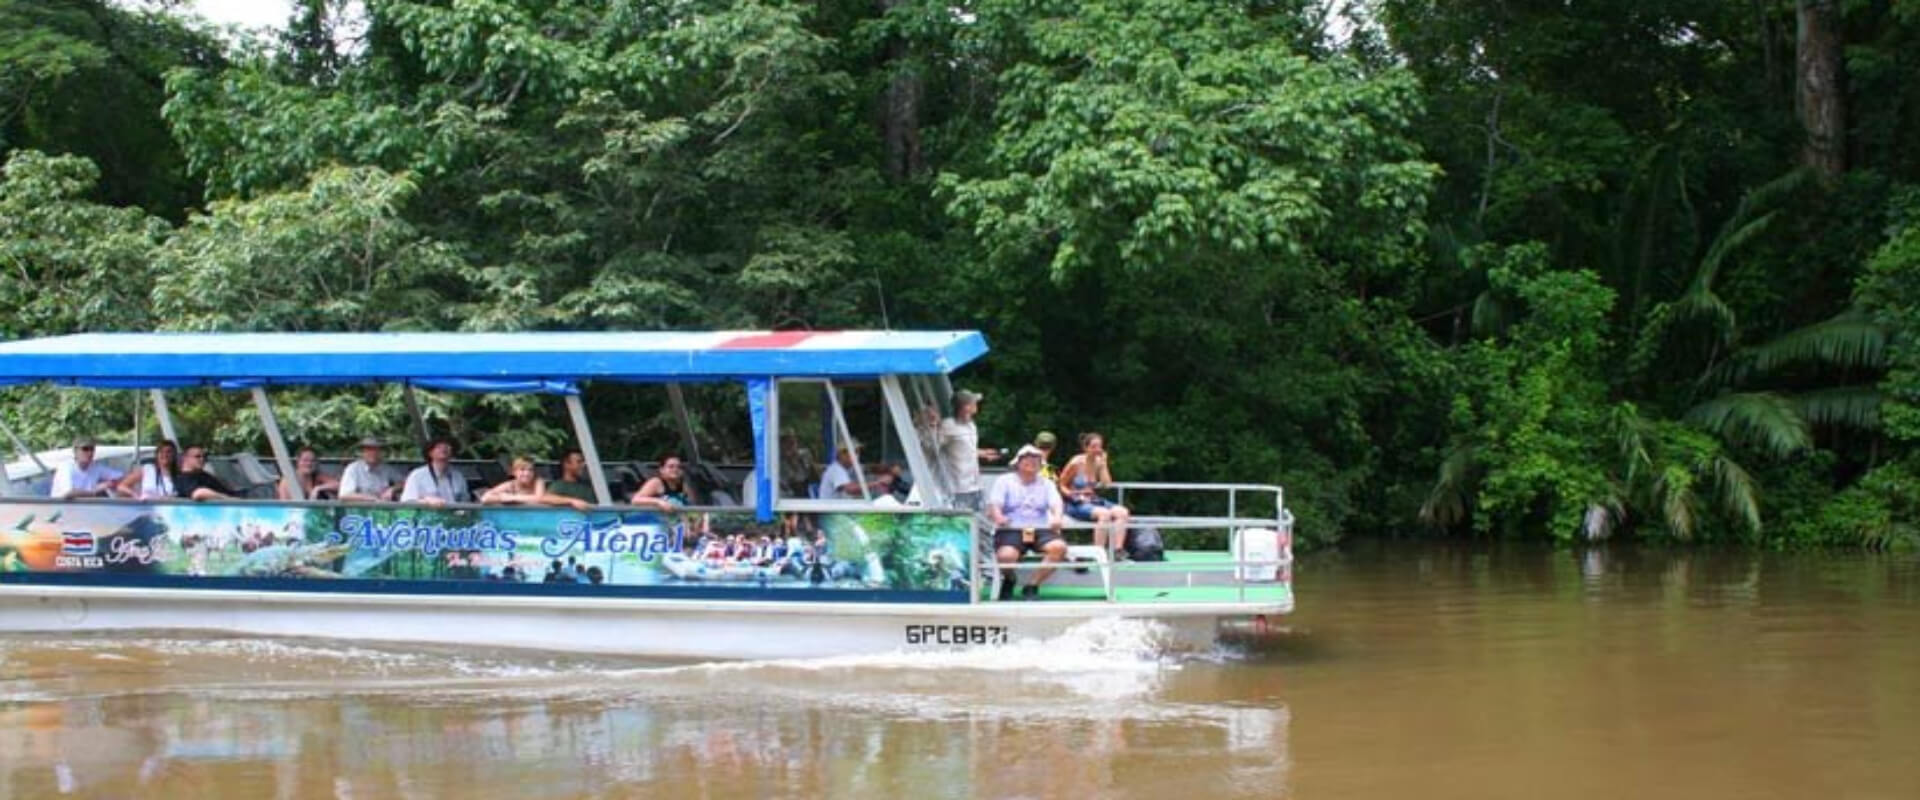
[(1819, 76)]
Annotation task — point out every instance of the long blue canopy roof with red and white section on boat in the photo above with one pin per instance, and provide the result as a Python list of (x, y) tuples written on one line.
[(537, 362)]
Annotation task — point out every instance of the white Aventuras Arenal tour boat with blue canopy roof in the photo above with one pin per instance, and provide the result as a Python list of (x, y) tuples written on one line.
[(825, 576)]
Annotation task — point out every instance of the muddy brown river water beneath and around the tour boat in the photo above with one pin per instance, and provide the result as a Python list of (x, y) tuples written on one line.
[(1410, 672)]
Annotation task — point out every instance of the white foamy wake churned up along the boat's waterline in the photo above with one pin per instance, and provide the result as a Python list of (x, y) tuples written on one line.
[(1086, 671)]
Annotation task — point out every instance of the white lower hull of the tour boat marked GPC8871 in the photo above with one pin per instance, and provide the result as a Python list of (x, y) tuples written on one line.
[(625, 626)]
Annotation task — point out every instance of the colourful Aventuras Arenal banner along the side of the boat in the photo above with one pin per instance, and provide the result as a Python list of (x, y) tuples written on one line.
[(504, 546)]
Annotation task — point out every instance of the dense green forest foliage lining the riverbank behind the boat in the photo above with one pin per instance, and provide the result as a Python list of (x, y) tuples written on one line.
[(1464, 268)]
